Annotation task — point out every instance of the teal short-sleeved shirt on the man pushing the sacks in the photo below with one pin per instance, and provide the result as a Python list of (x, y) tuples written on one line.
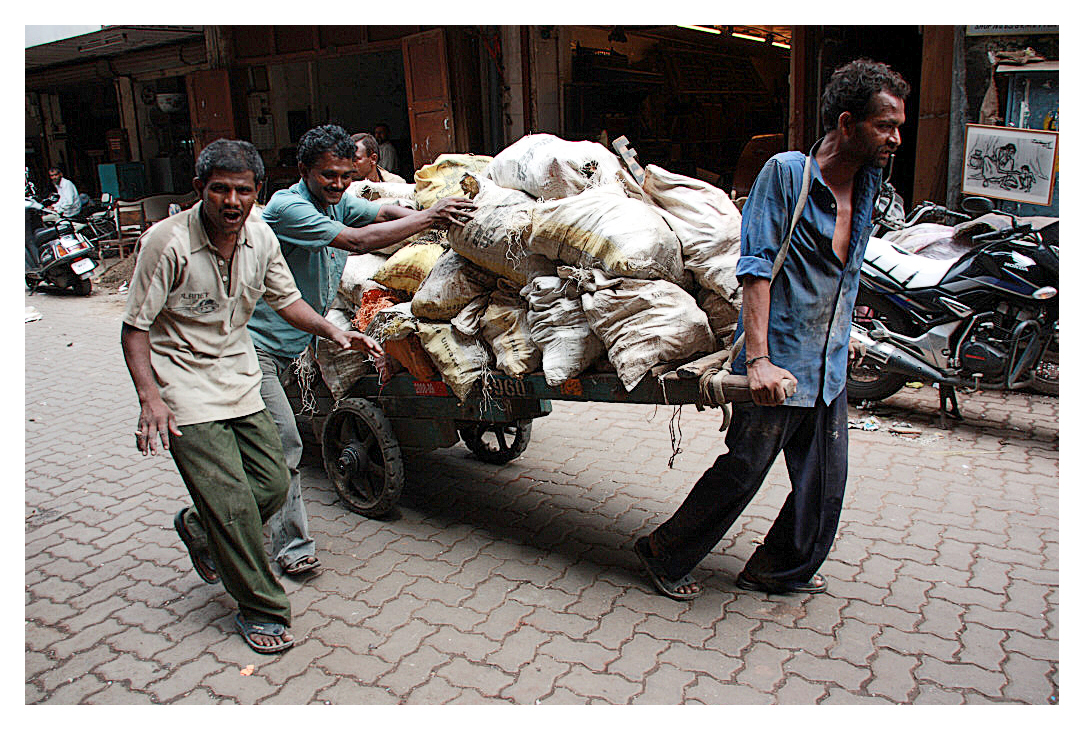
[(305, 230)]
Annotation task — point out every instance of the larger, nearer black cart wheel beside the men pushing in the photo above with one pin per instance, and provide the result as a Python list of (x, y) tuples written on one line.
[(363, 458)]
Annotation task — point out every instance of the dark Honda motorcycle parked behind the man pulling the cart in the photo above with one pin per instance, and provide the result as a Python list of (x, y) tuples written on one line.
[(987, 318)]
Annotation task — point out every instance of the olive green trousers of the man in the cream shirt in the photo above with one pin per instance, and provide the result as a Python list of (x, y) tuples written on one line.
[(238, 478)]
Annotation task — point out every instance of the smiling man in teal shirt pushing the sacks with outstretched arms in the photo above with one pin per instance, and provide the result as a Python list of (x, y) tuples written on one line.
[(318, 227)]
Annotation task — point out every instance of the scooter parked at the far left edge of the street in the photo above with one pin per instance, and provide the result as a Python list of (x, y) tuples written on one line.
[(57, 254)]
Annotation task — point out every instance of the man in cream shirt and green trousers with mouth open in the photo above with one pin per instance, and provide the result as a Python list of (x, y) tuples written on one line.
[(198, 279)]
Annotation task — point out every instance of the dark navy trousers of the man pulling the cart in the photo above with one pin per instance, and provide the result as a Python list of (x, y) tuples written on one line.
[(815, 444)]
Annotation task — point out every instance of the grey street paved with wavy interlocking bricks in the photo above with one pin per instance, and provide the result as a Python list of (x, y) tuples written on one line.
[(519, 584)]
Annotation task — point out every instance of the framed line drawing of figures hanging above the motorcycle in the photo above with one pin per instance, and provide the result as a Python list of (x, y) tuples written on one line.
[(1011, 164)]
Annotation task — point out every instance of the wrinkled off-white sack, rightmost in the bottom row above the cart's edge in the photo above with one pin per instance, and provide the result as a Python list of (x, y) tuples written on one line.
[(644, 324)]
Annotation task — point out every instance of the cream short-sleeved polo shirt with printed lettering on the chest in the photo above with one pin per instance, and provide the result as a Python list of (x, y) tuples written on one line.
[(202, 355)]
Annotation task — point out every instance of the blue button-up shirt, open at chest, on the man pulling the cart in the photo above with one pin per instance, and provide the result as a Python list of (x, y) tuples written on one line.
[(809, 324)]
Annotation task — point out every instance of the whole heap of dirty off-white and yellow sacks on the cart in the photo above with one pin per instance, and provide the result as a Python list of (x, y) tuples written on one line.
[(570, 264)]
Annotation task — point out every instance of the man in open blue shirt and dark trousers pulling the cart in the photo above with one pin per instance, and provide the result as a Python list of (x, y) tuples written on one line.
[(796, 328)]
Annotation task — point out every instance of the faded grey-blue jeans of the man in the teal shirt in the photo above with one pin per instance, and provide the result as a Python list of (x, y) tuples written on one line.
[(290, 527)]
